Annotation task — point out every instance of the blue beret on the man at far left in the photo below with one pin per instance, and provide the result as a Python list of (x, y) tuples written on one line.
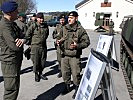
[(9, 6)]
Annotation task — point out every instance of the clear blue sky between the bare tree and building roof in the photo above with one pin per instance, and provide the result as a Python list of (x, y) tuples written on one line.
[(56, 5)]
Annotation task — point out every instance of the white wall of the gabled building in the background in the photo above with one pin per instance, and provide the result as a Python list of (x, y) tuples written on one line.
[(87, 20)]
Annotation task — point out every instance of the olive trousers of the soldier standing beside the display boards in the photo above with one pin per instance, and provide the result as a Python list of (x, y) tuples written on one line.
[(71, 65)]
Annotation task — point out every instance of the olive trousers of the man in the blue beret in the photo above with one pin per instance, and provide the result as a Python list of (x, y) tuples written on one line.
[(11, 75)]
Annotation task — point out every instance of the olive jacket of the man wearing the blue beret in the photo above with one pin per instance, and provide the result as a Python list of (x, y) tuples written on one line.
[(9, 32)]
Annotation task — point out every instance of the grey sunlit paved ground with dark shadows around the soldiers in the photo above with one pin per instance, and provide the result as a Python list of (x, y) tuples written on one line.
[(51, 89)]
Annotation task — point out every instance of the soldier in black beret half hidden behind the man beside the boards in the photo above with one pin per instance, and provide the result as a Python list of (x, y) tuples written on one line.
[(56, 35)]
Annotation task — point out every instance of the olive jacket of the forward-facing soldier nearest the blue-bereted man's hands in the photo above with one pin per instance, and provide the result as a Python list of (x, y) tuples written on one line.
[(36, 35)]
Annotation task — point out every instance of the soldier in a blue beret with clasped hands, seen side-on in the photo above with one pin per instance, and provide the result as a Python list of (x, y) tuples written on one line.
[(11, 56)]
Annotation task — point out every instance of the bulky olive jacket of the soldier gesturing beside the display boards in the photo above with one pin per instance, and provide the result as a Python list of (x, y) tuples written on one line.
[(75, 34)]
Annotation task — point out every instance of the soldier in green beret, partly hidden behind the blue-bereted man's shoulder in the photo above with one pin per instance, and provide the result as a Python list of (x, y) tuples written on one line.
[(21, 23)]
